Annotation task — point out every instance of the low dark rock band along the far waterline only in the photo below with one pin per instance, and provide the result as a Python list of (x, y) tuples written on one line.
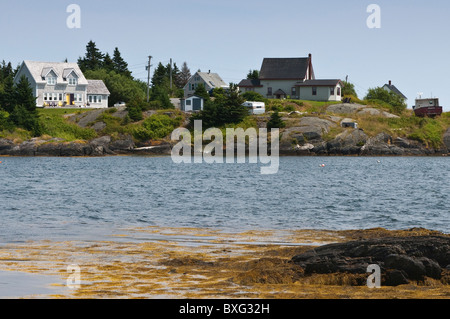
[(350, 143)]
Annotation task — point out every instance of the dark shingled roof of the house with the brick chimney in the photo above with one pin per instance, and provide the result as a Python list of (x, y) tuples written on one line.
[(284, 68)]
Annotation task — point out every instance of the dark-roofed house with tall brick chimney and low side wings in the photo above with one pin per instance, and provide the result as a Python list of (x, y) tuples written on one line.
[(294, 78)]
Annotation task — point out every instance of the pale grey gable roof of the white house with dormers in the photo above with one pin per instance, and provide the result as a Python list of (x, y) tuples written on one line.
[(38, 70)]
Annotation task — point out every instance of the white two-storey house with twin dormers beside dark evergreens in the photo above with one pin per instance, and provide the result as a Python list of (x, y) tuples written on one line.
[(59, 84)]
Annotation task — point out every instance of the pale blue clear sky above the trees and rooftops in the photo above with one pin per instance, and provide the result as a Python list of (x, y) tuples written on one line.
[(410, 48)]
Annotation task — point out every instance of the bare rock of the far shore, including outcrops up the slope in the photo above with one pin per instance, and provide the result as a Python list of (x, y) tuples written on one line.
[(304, 136)]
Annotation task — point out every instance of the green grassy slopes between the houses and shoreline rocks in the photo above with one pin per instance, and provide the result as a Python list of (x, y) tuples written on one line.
[(65, 124)]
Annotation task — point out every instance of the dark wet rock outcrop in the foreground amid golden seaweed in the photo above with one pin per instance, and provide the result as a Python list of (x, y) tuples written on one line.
[(401, 258)]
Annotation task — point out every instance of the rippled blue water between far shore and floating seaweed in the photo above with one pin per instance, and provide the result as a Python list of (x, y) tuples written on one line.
[(89, 198)]
